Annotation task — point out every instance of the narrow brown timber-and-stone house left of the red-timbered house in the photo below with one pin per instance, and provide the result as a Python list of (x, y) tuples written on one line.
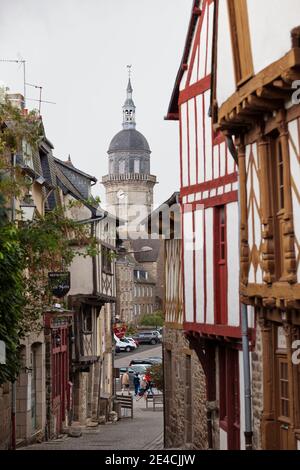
[(185, 421)]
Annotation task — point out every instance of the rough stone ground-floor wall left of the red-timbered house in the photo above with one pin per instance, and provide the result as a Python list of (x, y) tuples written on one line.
[(176, 432)]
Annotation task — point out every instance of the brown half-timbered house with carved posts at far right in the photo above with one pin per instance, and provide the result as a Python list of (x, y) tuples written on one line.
[(256, 65)]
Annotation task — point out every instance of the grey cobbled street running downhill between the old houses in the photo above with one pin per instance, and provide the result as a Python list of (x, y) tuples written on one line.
[(144, 431)]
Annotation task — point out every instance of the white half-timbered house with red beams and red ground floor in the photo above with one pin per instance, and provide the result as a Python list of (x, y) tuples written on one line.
[(210, 246)]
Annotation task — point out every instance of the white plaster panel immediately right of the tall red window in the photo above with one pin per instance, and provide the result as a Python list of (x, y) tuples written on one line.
[(233, 264)]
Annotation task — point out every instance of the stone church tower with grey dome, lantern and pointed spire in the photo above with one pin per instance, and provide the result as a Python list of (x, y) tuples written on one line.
[(129, 184)]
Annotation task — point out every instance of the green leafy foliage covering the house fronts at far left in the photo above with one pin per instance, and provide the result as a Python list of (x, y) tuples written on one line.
[(28, 251)]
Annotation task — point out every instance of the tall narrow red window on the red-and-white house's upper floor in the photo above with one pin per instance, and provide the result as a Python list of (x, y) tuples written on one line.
[(220, 261)]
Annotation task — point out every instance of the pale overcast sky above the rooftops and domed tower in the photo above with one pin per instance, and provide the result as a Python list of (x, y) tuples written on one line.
[(78, 51)]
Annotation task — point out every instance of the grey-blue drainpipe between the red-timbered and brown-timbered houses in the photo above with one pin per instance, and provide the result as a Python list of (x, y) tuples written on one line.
[(248, 433)]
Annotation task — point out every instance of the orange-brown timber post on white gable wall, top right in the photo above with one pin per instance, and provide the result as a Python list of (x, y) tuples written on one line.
[(240, 38)]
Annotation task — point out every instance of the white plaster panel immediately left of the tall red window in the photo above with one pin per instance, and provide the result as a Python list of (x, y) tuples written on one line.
[(210, 317)]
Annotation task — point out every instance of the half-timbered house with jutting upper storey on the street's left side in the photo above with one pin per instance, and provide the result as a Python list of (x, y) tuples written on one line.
[(92, 296)]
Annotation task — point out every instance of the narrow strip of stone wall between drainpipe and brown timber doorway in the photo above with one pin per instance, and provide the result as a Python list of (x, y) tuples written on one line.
[(257, 388)]
